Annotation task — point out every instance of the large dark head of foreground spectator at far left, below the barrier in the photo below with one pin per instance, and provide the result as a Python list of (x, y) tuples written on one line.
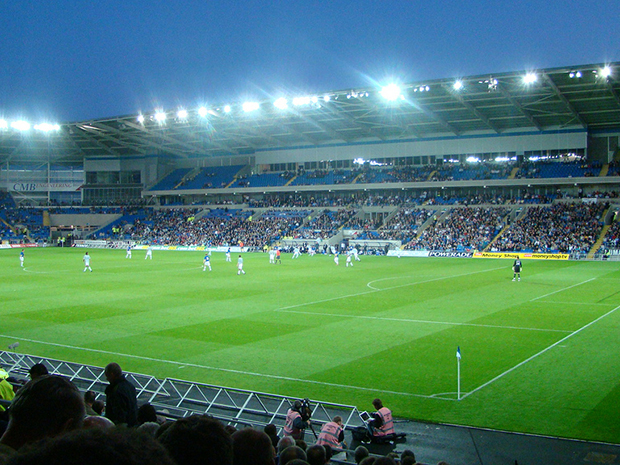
[(44, 408)]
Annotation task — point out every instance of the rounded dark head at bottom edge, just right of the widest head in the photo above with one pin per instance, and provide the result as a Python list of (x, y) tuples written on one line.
[(198, 439)]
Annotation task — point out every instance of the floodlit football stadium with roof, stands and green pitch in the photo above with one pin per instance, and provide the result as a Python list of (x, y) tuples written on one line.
[(449, 247)]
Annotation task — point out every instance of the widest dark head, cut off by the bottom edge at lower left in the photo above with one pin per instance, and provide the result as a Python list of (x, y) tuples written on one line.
[(118, 446)]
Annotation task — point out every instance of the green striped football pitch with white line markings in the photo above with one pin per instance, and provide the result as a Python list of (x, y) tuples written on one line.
[(539, 356)]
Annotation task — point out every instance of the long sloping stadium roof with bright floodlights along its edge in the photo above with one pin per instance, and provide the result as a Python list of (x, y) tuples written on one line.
[(578, 97)]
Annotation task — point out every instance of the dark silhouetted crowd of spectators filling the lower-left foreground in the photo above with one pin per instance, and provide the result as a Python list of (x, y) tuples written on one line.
[(50, 421)]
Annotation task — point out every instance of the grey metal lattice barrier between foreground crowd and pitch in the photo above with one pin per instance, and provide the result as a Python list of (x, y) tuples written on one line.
[(175, 398)]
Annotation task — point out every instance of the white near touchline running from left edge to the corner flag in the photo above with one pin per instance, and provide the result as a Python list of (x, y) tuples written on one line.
[(225, 370)]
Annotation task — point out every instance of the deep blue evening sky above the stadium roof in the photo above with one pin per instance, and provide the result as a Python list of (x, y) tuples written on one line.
[(68, 61)]
